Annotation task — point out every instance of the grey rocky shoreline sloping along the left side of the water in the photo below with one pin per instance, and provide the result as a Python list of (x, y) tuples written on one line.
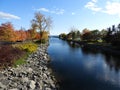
[(34, 75)]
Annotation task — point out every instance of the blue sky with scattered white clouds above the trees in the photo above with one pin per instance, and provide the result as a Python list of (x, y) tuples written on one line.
[(91, 14)]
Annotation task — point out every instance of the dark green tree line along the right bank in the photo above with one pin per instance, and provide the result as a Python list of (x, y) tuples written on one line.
[(110, 35)]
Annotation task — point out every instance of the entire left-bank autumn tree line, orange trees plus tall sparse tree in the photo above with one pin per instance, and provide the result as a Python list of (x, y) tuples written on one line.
[(39, 30)]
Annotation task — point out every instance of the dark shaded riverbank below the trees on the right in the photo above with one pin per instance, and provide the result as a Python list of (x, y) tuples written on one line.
[(102, 47)]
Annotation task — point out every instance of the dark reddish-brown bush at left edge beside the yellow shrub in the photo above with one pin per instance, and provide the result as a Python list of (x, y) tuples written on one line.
[(8, 55)]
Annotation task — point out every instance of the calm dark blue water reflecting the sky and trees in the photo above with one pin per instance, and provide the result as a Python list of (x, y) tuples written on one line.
[(79, 69)]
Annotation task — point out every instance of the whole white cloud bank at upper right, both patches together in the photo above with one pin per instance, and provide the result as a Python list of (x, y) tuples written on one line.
[(111, 7)]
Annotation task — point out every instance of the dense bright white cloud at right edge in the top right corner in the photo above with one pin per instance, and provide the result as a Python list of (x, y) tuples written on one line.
[(112, 8)]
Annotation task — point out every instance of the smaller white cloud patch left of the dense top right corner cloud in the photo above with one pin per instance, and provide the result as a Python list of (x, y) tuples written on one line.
[(92, 6)]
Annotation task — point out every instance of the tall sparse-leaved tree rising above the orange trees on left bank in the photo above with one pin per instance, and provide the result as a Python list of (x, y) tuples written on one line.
[(41, 23)]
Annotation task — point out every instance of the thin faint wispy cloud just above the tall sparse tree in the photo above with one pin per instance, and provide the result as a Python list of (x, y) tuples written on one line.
[(55, 11)]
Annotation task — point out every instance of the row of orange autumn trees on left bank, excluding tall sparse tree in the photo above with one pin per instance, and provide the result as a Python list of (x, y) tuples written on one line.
[(8, 33)]
